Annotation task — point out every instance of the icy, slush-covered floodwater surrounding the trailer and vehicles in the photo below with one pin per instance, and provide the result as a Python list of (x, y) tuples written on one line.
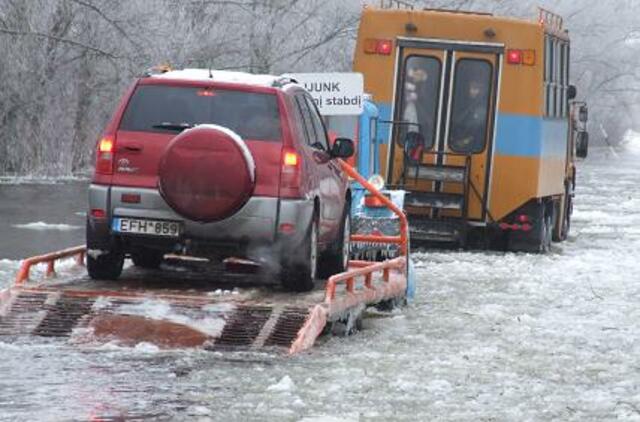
[(491, 336)]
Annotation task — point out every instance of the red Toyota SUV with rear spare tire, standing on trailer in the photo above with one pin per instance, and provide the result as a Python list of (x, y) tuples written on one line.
[(219, 164)]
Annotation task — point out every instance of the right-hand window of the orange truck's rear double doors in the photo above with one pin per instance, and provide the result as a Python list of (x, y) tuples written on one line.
[(470, 109)]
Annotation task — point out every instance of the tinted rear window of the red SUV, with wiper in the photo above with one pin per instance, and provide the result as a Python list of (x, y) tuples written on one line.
[(251, 115)]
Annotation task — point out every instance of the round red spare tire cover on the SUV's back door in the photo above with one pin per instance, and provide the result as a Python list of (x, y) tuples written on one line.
[(207, 173)]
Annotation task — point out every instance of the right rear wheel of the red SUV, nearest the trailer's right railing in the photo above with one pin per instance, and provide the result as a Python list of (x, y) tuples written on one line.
[(300, 267)]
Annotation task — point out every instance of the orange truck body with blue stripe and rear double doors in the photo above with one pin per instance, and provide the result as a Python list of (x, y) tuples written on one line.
[(526, 154)]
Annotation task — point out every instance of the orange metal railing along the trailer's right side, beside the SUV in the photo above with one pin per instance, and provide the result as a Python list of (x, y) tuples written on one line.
[(365, 269)]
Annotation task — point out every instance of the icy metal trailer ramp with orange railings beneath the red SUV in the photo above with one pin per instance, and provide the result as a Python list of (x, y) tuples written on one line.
[(187, 303)]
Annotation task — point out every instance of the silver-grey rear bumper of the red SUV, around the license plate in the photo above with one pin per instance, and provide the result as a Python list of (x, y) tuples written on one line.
[(256, 224)]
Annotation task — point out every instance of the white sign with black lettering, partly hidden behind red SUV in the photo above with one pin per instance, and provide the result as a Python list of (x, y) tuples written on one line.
[(334, 93)]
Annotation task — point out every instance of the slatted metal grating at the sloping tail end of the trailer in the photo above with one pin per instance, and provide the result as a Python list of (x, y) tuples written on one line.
[(50, 313)]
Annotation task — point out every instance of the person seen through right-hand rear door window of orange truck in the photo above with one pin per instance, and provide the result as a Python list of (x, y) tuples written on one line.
[(469, 121)]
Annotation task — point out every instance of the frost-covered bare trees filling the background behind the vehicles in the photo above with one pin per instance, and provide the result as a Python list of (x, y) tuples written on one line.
[(65, 63)]
